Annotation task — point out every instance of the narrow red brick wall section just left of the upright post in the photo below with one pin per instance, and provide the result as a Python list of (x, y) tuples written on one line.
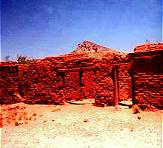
[(104, 84)]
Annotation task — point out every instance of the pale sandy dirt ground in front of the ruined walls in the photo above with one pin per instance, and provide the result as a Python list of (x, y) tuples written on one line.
[(78, 126)]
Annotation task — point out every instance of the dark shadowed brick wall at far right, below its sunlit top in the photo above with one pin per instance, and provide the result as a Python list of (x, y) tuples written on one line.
[(148, 78)]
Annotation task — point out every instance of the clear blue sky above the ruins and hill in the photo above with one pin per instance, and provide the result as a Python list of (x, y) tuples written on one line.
[(39, 28)]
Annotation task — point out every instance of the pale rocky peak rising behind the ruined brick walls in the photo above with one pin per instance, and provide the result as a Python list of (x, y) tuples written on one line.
[(88, 49)]
